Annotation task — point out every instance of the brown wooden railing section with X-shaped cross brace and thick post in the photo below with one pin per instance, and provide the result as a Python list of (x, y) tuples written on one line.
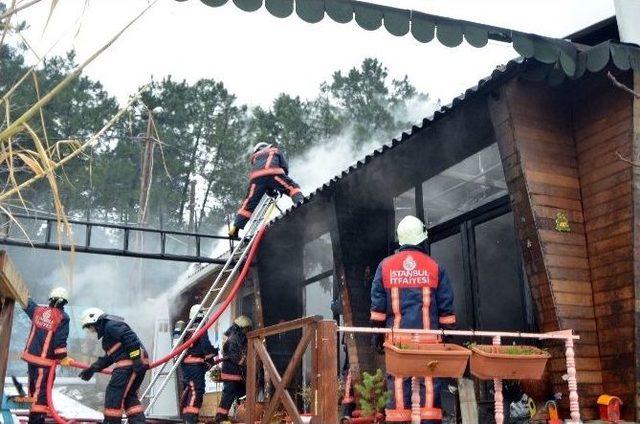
[(321, 336)]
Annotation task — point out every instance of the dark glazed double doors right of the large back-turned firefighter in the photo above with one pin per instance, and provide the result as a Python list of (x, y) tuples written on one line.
[(479, 250)]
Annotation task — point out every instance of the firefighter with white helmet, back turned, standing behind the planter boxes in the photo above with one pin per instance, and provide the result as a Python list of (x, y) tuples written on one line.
[(410, 290)]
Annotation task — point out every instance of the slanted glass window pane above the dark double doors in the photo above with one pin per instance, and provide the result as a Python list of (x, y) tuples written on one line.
[(463, 187)]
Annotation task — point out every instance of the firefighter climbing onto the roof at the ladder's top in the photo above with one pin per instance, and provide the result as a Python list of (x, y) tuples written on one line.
[(269, 173)]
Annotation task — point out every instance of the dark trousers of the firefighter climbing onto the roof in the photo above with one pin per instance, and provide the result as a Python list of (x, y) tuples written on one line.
[(261, 185)]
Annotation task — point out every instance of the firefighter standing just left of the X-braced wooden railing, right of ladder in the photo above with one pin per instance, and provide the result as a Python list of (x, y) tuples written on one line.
[(234, 352)]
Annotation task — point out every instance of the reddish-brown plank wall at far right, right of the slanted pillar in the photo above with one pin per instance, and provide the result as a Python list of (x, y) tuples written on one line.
[(603, 127)]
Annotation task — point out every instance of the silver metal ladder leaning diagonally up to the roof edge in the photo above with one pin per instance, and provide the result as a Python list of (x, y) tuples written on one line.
[(215, 294)]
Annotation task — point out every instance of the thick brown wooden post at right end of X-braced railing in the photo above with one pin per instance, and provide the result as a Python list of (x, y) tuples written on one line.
[(327, 372)]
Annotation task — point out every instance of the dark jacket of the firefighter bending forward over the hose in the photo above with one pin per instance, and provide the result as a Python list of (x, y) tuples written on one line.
[(119, 342)]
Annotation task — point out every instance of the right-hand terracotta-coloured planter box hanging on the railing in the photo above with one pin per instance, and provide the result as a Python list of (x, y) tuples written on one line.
[(489, 362)]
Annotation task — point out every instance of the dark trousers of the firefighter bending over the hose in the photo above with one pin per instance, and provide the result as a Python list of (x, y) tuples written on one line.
[(122, 394)]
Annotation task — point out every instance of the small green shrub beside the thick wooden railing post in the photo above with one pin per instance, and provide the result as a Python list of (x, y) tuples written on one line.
[(373, 397)]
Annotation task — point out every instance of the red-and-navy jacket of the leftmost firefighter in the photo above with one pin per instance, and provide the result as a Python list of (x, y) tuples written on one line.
[(47, 339)]
